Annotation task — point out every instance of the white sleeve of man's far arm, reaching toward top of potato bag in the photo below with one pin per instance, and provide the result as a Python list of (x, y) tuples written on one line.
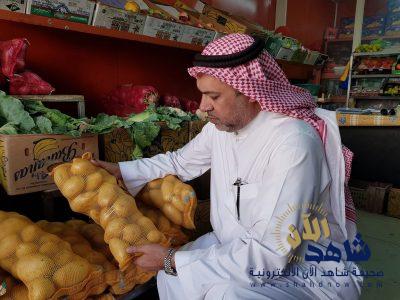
[(187, 163)]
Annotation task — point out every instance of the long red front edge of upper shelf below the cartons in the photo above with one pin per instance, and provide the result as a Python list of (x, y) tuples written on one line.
[(88, 29)]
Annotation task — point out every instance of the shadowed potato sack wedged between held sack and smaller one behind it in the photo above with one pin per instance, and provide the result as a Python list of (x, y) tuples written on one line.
[(172, 231)]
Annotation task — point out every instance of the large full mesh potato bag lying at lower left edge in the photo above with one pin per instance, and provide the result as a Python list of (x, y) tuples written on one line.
[(42, 261)]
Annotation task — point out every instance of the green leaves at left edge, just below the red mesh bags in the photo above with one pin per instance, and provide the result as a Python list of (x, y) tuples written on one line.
[(12, 110)]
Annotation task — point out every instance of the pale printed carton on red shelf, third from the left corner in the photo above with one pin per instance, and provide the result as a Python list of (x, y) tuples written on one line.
[(118, 19)]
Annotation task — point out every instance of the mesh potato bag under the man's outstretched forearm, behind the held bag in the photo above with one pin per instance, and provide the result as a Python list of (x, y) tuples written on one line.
[(177, 200)]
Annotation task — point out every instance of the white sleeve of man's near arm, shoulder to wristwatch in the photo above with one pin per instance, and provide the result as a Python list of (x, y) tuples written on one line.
[(293, 177)]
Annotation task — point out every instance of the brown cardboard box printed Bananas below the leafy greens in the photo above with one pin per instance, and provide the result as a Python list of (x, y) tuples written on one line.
[(27, 159)]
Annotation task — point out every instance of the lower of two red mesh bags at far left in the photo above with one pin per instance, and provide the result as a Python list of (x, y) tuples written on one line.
[(29, 83)]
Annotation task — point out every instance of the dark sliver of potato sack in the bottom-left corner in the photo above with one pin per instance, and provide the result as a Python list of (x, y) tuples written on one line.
[(10, 288)]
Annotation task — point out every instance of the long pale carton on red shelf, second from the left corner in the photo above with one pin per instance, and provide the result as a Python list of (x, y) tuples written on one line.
[(79, 11)]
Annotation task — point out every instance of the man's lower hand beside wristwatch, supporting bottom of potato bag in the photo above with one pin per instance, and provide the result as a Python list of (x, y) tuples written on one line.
[(152, 256)]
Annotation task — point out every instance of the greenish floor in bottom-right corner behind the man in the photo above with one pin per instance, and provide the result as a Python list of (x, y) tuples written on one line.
[(382, 234)]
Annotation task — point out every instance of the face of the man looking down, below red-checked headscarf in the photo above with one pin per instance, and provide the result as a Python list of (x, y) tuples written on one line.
[(226, 108)]
